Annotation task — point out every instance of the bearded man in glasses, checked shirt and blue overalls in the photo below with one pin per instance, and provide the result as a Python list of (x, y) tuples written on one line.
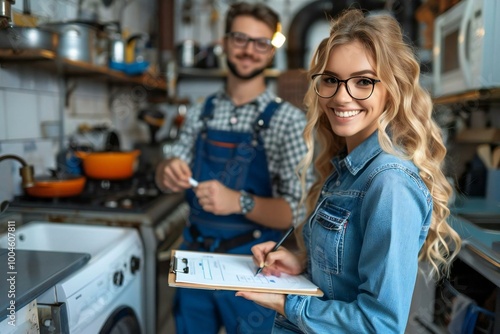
[(242, 145)]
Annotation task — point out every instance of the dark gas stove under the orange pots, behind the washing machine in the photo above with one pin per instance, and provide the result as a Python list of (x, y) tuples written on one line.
[(135, 202)]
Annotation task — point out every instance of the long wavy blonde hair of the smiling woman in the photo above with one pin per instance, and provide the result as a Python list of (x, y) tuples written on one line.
[(407, 117)]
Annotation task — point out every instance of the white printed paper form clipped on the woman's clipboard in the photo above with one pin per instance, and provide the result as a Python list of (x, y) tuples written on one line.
[(227, 270)]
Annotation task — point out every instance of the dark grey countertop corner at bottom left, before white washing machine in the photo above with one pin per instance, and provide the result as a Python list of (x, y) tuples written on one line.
[(33, 273)]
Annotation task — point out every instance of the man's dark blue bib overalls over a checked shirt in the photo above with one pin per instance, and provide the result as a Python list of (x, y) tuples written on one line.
[(238, 160)]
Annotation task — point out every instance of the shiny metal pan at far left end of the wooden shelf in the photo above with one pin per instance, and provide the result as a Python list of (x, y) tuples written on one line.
[(26, 38)]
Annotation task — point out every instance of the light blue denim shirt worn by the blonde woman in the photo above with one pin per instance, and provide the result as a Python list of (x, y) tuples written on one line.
[(363, 240)]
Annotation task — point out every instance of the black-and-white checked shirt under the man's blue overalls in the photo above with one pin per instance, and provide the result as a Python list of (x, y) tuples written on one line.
[(283, 140)]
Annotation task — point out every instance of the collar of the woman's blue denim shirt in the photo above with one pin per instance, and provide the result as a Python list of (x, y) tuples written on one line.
[(360, 156)]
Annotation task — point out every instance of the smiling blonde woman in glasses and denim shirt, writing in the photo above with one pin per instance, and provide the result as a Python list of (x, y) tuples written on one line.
[(380, 202)]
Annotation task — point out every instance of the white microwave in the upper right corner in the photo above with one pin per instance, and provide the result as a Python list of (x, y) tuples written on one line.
[(466, 42)]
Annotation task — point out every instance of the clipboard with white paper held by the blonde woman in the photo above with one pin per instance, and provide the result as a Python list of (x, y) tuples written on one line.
[(216, 271)]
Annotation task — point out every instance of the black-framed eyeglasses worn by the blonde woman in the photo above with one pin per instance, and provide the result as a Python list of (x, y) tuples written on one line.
[(359, 88)]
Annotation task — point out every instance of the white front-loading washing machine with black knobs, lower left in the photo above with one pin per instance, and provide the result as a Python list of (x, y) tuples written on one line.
[(106, 295)]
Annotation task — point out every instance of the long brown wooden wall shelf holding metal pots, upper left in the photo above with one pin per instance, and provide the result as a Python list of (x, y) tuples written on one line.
[(49, 59)]
